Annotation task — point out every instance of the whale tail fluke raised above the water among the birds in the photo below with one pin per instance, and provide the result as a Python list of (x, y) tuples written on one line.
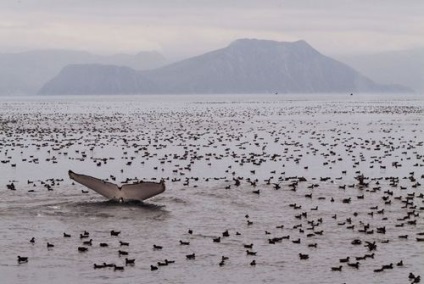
[(127, 192)]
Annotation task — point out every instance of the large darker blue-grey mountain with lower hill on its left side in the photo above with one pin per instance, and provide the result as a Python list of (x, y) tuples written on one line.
[(245, 66)]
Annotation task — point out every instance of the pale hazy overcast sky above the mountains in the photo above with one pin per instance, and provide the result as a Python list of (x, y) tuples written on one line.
[(180, 28)]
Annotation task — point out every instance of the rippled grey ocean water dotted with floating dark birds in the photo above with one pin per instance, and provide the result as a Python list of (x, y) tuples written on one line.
[(296, 158)]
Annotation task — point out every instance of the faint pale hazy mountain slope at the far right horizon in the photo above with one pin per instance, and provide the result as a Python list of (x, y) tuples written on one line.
[(404, 67)]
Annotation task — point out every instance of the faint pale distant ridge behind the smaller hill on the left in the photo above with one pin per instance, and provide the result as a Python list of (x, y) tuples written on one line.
[(26, 72)]
